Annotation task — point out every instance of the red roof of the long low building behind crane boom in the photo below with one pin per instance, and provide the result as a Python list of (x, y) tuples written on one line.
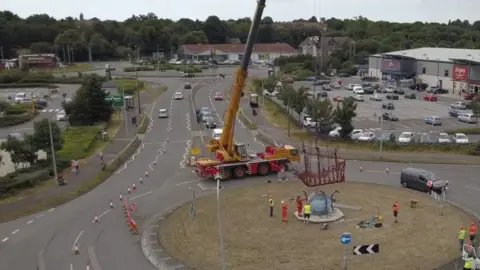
[(239, 48)]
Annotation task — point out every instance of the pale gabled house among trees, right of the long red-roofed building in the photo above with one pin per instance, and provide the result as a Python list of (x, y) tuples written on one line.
[(321, 47)]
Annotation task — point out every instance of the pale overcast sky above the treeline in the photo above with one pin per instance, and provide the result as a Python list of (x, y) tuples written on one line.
[(279, 10)]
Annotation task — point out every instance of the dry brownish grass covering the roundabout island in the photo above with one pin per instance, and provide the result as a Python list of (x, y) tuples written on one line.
[(423, 239)]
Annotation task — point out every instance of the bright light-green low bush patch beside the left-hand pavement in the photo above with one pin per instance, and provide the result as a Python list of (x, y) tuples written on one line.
[(78, 142)]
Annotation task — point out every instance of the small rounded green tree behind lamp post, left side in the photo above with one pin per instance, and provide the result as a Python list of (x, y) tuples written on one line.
[(41, 137)]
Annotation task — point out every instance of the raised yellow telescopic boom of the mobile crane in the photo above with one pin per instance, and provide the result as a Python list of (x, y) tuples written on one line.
[(225, 145)]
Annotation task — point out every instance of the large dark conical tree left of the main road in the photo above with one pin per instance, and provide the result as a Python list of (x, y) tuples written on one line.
[(89, 105)]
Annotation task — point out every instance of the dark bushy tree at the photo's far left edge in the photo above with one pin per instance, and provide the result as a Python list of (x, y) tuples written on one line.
[(21, 152)]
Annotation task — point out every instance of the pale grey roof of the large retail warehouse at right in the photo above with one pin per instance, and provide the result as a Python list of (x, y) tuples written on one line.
[(437, 54)]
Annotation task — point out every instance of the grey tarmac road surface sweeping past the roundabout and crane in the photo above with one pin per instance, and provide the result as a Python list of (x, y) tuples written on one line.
[(46, 240)]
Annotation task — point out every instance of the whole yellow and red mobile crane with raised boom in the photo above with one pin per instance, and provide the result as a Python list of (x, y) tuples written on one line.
[(232, 159)]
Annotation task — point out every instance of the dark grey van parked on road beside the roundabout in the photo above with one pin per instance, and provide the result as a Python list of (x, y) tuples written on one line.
[(418, 178)]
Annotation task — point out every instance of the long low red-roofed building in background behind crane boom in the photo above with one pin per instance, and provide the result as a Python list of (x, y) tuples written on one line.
[(234, 52)]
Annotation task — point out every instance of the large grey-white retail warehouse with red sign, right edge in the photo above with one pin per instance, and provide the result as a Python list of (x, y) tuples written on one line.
[(451, 69)]
